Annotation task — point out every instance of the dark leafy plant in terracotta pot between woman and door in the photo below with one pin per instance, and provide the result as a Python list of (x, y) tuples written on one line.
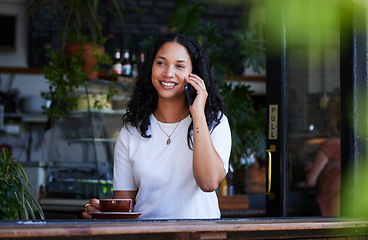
[(248, 152)]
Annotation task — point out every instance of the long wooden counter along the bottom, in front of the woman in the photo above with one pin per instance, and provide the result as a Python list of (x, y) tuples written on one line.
[(257, 228)]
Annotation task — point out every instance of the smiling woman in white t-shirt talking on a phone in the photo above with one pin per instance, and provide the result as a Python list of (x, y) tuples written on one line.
[(170, 156)]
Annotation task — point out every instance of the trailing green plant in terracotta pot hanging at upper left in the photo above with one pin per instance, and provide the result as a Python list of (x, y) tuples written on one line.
[(80, 28)]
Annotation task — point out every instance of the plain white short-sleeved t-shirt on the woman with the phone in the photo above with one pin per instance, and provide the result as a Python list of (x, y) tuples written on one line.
[(163, 174)]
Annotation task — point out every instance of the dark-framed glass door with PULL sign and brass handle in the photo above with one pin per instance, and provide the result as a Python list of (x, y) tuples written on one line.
[(303, 73)]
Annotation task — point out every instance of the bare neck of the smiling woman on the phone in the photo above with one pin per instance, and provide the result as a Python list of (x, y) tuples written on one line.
[(171, 112)]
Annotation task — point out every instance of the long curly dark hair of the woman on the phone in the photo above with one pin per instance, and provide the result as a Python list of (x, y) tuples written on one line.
[(144, 99)]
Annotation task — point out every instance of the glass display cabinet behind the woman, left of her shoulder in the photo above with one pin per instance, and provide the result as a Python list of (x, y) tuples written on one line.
[(79, 148)]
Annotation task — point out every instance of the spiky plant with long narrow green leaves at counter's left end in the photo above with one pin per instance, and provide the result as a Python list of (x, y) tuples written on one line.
[(15, 200)]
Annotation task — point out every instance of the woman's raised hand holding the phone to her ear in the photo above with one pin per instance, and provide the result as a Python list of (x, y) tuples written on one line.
[(201, 98)]
